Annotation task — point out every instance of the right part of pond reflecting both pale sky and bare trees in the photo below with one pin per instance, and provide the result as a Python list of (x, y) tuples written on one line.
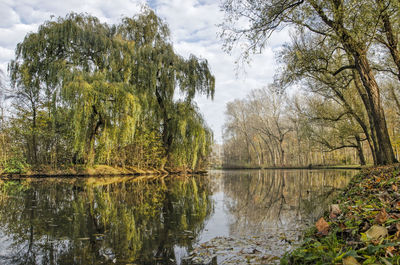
[(270, 207)]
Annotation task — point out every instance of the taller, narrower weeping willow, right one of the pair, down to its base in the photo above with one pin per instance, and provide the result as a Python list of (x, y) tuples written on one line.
[(158, 74)]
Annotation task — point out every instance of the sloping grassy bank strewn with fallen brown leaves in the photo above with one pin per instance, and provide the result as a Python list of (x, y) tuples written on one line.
[(362, 226)]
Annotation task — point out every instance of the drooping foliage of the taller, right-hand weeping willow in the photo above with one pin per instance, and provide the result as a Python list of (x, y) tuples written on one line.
[(160, 72)]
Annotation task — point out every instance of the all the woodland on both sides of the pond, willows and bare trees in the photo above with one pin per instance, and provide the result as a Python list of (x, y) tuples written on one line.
[(82, 92)]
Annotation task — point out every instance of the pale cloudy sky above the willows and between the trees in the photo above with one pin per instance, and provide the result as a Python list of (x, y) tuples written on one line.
[(194, 29)]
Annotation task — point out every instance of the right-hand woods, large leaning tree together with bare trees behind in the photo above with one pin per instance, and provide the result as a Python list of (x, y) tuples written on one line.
[(335, 97)]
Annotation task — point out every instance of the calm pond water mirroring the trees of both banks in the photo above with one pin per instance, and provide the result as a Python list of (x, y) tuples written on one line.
[(123, 220)]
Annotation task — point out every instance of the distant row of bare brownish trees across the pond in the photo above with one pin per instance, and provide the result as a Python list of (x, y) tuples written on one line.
[(271, 129)]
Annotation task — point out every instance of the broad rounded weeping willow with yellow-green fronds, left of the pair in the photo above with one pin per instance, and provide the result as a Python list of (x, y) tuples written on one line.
[(75, 65)]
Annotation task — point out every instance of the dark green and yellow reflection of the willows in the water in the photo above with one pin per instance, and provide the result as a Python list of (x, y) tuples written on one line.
[(81, 221)]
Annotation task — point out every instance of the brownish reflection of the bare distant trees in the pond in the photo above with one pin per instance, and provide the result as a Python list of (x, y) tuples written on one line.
[(264, 200)]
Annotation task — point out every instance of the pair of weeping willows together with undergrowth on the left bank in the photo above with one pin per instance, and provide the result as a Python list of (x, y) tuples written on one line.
[(92, 93)]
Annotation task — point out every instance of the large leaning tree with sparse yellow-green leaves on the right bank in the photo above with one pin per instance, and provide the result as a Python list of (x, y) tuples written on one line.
[(343, 38)]
